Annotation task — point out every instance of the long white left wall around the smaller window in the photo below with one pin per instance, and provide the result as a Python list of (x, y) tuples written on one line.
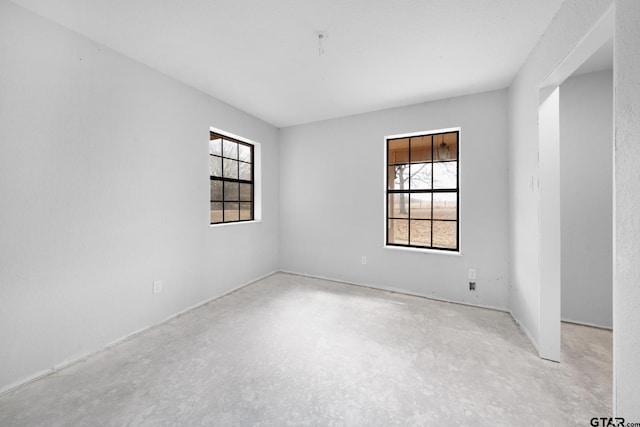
[(104, 189)]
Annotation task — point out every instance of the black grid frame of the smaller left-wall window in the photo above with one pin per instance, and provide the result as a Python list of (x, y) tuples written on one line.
[(227, 198)]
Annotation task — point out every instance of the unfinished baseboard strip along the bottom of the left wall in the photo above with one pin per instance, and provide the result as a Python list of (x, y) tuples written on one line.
[(84, 356)]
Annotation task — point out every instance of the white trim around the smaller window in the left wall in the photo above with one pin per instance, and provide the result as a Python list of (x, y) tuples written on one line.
[(256, 178)]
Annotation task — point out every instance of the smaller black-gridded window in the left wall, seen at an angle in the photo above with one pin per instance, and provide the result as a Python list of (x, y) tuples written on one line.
[(231, 170)]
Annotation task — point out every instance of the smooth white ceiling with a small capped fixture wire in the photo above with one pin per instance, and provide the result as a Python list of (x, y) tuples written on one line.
[(263, 57)]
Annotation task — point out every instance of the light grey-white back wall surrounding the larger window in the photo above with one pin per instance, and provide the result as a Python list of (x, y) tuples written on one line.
[(332, 200)]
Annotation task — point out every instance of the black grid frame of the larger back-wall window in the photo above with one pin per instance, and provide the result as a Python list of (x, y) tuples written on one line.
[(432, 191)]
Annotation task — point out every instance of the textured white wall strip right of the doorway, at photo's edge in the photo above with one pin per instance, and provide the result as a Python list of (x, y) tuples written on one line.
[(626, 296)]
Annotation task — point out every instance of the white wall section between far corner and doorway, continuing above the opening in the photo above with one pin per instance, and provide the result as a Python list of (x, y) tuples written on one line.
[(574, 19)]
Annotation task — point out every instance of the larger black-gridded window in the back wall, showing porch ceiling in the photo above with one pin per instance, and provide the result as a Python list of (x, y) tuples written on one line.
[(422, 191)]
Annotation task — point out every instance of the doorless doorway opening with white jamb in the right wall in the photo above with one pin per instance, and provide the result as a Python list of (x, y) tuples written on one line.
[(576, 189)]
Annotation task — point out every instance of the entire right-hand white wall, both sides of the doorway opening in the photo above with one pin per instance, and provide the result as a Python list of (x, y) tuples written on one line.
[(572, 22)]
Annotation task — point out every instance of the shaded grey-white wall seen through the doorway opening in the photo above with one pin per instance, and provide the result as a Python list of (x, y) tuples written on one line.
[(586, 185)]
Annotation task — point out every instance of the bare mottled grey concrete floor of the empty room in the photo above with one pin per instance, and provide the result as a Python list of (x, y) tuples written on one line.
[(291, 350)]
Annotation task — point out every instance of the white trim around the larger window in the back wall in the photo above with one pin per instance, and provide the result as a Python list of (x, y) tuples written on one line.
[(385, 195)]
